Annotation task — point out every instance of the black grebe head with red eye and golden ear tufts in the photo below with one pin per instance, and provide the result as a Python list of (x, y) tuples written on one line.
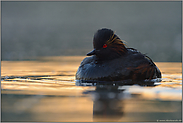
[(107, 45)]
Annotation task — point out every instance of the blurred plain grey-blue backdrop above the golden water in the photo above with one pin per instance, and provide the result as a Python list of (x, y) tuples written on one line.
[(33, 29)]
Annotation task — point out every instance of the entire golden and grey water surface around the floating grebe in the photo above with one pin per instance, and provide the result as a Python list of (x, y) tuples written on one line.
[(45, 90)]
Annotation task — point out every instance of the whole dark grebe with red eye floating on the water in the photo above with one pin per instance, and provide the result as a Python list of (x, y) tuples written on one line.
[(111, 60)]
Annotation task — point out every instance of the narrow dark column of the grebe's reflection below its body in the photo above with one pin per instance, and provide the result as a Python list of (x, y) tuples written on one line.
[(107, 102)]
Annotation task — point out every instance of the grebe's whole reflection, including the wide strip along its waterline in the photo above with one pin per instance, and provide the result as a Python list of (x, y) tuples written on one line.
[(108, 99)]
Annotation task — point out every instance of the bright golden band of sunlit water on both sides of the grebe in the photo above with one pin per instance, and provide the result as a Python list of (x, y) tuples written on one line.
[(67, 65)]
